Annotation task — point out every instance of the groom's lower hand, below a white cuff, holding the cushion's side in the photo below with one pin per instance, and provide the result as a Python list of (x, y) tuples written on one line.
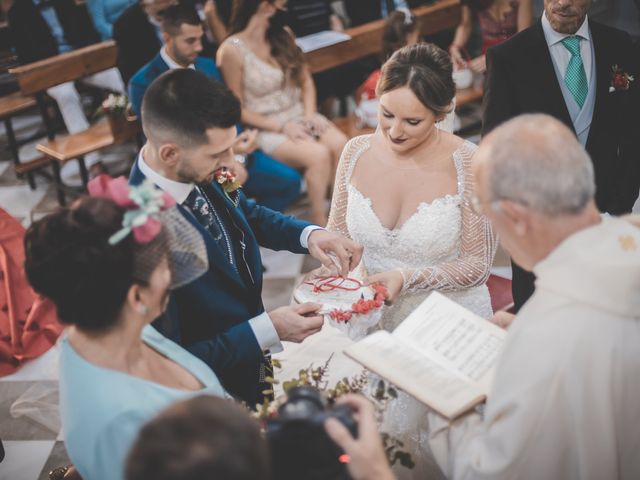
[(294, 323)]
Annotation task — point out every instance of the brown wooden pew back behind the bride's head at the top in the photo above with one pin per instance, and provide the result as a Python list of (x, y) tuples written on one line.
[(367, 39)]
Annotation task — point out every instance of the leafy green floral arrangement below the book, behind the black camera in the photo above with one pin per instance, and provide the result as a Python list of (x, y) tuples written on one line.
[(317, 378)]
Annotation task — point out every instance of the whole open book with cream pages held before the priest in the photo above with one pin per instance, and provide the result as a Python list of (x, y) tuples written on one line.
[(442, 354)]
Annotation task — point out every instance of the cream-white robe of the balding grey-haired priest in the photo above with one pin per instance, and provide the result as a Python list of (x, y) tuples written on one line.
[(565, 403)]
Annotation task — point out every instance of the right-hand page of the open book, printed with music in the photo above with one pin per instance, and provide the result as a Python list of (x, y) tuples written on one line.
[(454, 337)]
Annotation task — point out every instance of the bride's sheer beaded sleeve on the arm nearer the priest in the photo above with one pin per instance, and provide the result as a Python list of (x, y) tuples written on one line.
[(475, 251)]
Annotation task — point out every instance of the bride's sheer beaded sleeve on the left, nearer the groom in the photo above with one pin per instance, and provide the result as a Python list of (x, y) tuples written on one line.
[(338, 214)]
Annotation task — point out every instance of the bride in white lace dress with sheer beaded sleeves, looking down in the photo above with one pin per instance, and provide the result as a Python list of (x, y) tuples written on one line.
[(403, 193)]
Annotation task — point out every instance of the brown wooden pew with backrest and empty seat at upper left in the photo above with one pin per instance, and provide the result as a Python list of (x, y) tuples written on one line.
[(35, 78)]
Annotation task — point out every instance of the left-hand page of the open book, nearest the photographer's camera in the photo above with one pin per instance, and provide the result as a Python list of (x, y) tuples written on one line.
[(401, 364)]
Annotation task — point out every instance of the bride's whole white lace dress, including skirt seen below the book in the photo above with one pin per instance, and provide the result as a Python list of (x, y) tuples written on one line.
[(445, 246)]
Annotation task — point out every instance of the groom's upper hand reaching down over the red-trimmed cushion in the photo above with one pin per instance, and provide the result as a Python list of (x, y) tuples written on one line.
[(321, 243)]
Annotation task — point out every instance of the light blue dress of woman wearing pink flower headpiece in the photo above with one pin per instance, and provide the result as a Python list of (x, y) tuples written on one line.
[(102, 410)]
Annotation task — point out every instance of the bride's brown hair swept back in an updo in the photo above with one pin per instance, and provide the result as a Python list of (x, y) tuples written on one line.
[(426, 70)]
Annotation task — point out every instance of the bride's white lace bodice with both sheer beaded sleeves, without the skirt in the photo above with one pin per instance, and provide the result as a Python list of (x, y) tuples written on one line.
[(443, 246)]
